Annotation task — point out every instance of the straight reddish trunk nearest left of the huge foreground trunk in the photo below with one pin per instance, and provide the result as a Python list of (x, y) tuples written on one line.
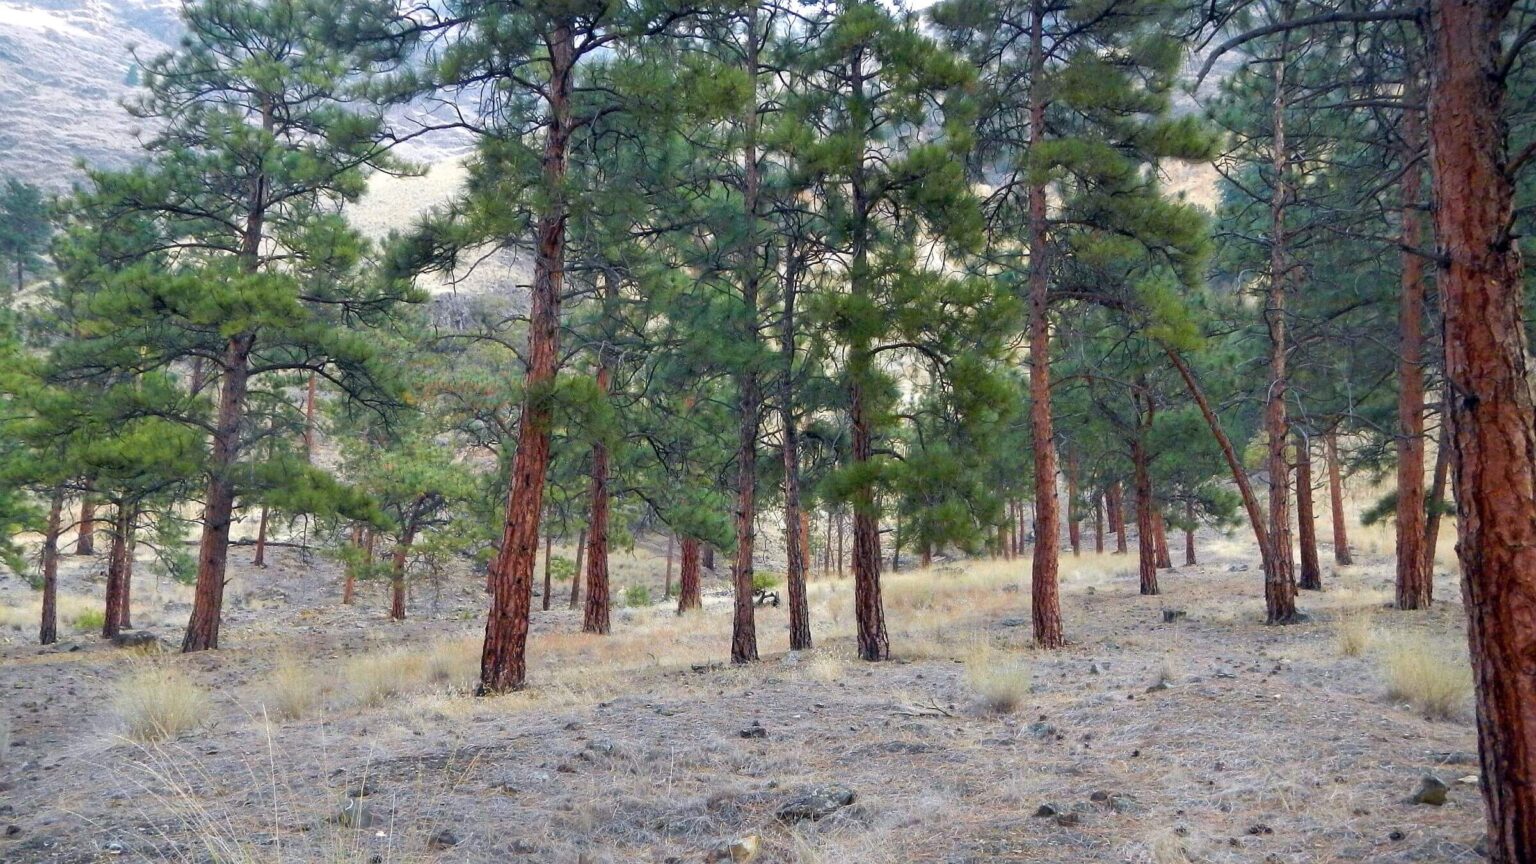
[(1415, 582)]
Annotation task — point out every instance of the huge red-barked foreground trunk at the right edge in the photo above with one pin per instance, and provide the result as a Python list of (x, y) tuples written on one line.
[(1492, 413)]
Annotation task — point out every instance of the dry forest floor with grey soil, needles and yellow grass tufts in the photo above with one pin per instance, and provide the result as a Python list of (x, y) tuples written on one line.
[(1207, 739)]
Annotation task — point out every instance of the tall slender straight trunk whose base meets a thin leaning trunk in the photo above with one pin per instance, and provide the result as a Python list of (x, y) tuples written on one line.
[(1280, 582)]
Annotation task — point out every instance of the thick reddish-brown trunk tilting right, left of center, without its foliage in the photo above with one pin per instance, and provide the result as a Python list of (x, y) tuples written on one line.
[(505, 656)]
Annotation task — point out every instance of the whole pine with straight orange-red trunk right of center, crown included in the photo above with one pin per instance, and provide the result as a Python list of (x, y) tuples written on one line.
[(1076, 101)]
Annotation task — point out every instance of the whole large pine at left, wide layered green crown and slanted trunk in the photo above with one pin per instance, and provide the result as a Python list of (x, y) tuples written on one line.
[(256, 142)]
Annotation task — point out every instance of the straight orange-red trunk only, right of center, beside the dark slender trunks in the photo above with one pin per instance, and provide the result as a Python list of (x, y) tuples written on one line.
[(1047, 605)]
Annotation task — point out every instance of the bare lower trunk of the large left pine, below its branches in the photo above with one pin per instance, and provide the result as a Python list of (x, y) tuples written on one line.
[(219, 508)]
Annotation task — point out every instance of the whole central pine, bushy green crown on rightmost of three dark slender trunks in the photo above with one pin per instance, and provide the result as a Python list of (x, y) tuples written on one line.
[(873, 90)]
